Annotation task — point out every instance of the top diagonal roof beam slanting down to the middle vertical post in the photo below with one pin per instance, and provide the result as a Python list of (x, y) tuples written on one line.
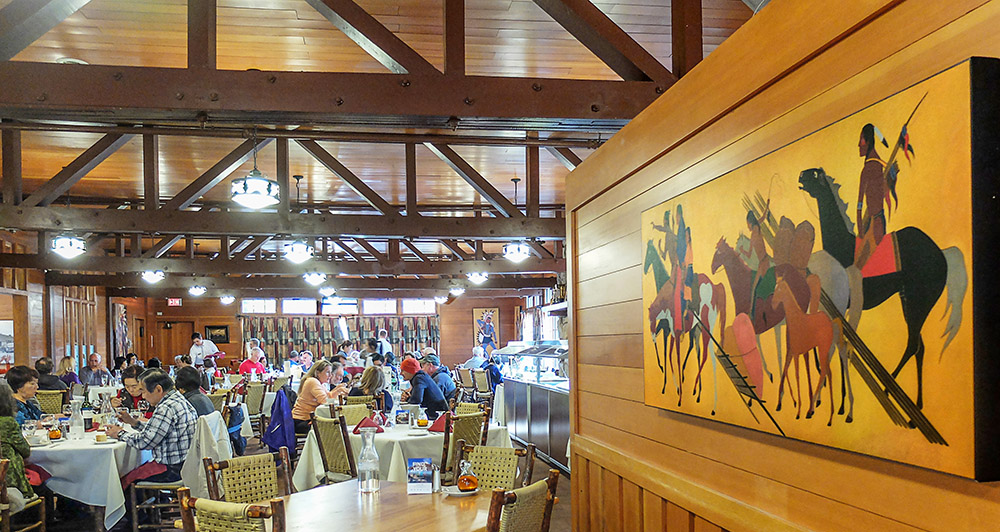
[(374, 38)]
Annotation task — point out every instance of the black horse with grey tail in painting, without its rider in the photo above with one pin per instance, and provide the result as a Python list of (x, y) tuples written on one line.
[(924, 269)]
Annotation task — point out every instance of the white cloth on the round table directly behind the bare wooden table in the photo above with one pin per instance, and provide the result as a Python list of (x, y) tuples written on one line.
[(394, 447)]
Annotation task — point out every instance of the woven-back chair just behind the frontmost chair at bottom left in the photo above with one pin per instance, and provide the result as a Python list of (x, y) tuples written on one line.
[(250, 479)]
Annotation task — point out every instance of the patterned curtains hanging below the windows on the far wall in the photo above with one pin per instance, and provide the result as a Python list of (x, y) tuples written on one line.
[(321, 334)]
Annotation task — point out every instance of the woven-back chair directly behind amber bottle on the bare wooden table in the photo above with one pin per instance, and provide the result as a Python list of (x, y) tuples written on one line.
[(496, 467)]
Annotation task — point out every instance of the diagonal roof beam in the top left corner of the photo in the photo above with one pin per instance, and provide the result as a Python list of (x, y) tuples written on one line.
[(23, 22)]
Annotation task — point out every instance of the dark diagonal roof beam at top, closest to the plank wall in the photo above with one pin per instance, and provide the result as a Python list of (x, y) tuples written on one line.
[(607, 41)]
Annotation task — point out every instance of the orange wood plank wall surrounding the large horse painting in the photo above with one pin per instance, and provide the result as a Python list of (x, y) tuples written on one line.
[(794, 67)]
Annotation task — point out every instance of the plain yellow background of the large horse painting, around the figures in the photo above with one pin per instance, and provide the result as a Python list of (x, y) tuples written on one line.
[(934, 195)]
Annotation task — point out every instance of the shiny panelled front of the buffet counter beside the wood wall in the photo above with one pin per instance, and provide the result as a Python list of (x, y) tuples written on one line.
[(539, 414)]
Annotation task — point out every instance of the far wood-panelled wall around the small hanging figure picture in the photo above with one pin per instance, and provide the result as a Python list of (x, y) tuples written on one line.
[(457, 332)]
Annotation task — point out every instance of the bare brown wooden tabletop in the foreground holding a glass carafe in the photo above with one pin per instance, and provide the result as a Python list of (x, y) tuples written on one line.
[(343, 506)]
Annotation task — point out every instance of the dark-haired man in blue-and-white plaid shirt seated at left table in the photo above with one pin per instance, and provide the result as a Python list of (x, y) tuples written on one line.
[(169, 433)]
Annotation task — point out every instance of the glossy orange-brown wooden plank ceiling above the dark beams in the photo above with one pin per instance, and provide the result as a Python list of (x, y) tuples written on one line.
[(506, 38)]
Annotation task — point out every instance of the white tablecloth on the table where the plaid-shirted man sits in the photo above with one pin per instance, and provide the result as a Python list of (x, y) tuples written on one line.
[(90, 473)]
